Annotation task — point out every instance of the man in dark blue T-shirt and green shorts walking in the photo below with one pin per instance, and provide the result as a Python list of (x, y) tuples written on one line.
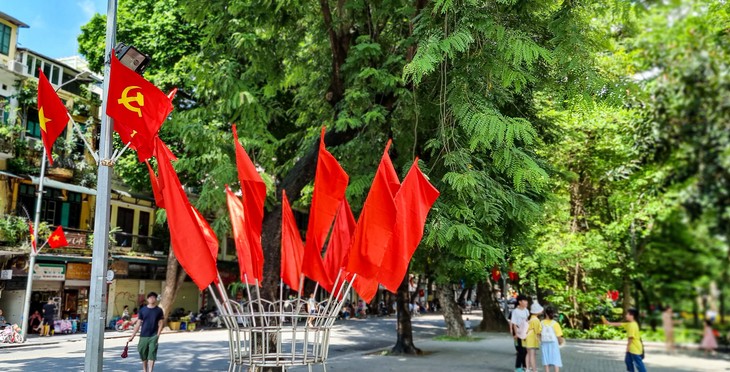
[(151, 320)]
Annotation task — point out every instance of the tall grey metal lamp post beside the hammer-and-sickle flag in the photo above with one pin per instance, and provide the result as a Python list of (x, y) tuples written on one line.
[(94, 359)]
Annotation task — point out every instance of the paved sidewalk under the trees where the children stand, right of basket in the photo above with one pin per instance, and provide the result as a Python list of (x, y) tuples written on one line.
[(495, 352)]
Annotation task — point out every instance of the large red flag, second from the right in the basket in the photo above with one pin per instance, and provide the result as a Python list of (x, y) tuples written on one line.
[(376, 222)]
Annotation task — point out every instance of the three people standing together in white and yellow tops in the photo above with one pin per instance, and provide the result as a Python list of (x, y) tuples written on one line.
[(530, 334)]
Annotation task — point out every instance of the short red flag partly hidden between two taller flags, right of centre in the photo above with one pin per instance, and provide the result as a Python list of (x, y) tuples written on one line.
[(338, 247)]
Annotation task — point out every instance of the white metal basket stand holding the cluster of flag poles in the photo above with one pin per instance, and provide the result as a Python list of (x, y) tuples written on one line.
[(283, 333)]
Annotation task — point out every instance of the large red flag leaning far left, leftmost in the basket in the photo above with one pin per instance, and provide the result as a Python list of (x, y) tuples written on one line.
[(189, 240)]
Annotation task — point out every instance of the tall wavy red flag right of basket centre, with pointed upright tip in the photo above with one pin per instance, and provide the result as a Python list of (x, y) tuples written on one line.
[(330, 182)]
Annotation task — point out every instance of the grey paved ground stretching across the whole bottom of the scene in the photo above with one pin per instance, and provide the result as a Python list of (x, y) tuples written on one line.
[(353, 348)]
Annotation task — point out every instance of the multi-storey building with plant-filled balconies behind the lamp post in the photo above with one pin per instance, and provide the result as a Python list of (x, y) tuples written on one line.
[(138, 253)]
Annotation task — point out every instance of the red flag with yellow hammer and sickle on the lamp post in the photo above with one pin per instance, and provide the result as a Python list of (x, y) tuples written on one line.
[(137, 107)]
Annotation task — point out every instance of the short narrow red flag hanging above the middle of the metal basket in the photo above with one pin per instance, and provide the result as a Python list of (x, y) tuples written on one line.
[(292, 248)]
